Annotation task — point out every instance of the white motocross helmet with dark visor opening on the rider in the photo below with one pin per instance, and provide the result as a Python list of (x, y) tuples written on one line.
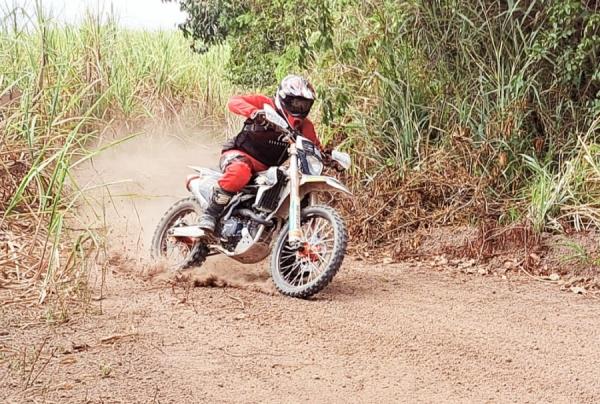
[(295, 95)]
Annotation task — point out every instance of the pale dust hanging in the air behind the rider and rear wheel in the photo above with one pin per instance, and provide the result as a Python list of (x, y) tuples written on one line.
[(137, 180)]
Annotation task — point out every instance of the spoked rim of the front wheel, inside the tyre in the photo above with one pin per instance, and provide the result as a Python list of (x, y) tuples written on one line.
[(299, 269)]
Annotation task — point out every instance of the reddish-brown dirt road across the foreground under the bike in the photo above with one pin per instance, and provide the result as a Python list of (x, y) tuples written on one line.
[(395, 333)]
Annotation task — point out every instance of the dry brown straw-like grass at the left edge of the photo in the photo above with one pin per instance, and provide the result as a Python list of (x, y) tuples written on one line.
[(33, 264)]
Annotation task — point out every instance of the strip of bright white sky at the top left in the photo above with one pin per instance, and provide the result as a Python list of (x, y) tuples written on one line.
[(147, 14)]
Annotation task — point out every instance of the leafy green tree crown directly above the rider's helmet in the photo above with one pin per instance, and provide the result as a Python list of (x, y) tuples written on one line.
[(268, 39)]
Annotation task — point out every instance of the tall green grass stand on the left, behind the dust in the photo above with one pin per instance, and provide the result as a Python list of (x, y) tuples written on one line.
[(60, 85)]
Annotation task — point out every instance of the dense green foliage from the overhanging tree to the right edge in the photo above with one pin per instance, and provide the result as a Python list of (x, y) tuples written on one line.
[(505, 90)]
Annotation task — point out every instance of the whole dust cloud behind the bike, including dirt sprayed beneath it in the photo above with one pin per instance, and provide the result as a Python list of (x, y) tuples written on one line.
[(135, 182)]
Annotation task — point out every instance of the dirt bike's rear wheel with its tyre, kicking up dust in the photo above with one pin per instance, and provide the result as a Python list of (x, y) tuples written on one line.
[(178, 254)]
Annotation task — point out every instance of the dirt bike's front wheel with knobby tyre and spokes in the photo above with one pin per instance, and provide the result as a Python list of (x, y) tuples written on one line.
[(303, 272)]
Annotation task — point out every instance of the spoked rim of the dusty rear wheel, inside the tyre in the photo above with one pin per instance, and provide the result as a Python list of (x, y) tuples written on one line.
[(176, 253)]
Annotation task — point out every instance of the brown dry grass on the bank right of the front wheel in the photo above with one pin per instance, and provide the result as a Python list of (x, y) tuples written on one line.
[(435, 195)]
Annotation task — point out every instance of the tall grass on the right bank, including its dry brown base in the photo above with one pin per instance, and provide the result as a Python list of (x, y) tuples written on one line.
[(479, 93)]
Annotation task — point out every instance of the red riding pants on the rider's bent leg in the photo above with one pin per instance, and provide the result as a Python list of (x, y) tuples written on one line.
[(238, 168)]
